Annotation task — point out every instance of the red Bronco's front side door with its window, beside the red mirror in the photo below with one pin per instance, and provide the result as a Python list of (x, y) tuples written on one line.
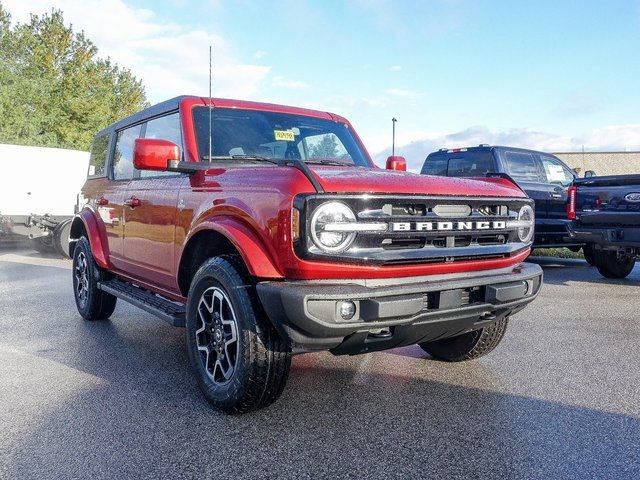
[(150, 212)]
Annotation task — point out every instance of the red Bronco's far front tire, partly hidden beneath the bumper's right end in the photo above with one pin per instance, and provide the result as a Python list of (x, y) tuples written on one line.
[(467, 346)]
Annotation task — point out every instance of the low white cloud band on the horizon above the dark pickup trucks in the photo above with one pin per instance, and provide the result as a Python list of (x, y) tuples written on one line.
[(613, 137)]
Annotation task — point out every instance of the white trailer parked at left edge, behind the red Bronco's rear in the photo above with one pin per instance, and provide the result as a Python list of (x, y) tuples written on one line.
[(38, 193)]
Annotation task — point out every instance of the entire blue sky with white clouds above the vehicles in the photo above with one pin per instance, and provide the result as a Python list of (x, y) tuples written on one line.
[(552, 75)]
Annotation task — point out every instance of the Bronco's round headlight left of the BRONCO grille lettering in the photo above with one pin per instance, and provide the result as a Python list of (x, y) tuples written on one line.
[(332, 213)]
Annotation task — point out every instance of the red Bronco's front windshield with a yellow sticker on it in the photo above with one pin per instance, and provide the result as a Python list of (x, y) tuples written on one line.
[(238, 133)]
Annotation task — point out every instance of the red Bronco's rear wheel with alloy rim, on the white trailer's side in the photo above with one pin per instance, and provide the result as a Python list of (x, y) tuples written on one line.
[(96, 305)]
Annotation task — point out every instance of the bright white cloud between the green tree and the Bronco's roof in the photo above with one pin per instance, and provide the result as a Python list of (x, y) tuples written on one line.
[(170, 59)]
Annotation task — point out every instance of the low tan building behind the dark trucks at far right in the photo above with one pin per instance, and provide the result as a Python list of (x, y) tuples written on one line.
[(603, 163)]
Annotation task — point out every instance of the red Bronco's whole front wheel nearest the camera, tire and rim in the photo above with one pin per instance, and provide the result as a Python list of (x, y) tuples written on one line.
[(239, 360)]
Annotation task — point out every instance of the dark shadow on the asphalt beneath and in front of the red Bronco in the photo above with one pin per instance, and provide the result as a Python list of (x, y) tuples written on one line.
[(374, 415)]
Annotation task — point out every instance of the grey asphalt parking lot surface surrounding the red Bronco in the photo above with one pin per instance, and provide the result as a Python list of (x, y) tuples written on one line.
[(559, 398)]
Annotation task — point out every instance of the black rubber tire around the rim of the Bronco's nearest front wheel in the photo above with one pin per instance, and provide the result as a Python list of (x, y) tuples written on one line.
[(262, 359)]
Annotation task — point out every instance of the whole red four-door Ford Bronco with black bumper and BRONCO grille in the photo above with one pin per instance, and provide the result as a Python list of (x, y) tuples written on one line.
[(267, 231)]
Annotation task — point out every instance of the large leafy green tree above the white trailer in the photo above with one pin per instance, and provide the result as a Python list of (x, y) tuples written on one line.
[(54, 89)]
